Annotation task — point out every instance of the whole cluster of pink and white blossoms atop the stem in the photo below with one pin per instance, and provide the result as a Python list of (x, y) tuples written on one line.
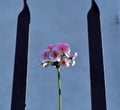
[(58, 55)]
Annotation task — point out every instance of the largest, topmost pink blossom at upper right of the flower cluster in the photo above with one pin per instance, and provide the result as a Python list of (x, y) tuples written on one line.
[(63, 49)]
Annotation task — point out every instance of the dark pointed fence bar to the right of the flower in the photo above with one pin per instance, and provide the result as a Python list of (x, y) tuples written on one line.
[(98, 98)]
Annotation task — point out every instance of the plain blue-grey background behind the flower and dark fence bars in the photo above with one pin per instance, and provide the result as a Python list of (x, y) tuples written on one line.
[(54, 21)]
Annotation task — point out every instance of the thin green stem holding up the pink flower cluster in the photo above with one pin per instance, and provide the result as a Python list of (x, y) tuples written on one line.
[(59, 89)]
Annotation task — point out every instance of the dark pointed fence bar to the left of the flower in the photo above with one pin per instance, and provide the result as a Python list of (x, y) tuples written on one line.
[(21, 60)]
